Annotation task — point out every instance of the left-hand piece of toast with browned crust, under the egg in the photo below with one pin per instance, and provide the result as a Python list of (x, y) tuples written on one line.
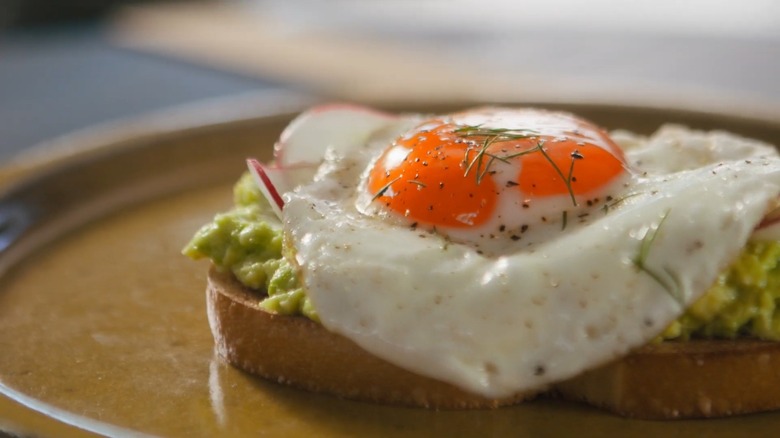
[(296, 351)]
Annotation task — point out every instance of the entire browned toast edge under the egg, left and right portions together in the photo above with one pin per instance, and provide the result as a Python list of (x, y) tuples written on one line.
[(669, 380)]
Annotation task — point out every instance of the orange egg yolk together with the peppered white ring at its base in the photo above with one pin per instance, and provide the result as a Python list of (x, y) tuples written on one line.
[(496, 179)]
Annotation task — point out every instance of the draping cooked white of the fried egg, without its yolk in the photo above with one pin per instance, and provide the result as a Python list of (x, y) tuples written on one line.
[(496, 326)]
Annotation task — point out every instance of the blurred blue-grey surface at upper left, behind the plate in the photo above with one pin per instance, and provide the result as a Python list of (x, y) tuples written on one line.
[(57, 80)]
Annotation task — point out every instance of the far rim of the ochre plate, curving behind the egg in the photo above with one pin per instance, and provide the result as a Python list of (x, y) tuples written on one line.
[(246, 107)]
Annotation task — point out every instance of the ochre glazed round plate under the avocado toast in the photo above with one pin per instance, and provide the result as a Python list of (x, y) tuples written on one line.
[(103, 325)]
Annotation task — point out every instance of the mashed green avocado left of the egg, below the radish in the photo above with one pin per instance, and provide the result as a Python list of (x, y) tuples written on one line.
[(247, 241)]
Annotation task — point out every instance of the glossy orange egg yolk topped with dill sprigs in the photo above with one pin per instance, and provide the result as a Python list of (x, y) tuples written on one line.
[(453, 172)]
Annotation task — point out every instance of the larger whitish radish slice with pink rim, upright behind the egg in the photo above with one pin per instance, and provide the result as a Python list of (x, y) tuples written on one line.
[(336, 126)]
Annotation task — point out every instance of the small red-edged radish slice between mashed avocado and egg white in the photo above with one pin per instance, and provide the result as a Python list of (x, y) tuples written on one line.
[(276, 181)]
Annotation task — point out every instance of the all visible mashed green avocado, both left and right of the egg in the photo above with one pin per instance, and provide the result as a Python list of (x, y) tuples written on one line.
[(248, 241)]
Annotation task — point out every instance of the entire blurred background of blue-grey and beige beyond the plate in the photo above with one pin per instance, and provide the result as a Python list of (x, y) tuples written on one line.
[(70, 64)]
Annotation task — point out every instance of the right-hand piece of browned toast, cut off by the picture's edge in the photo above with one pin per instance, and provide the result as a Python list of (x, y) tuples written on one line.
[(702, 378)]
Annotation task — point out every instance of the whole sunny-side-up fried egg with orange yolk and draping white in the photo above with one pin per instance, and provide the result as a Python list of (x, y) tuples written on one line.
[(503, 249)]
